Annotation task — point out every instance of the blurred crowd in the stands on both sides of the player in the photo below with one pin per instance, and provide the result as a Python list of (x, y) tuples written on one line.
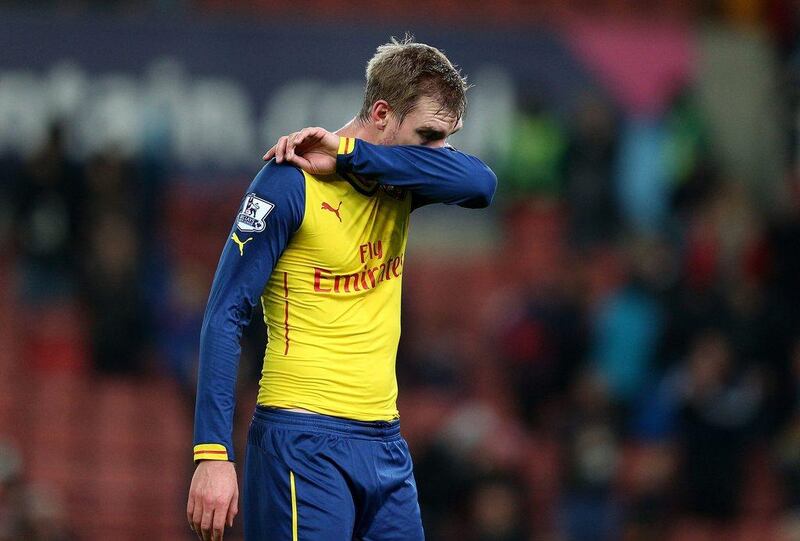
[(624, 364)]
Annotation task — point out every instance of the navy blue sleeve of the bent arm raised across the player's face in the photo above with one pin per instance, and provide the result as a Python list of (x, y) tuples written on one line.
[(432, 175)]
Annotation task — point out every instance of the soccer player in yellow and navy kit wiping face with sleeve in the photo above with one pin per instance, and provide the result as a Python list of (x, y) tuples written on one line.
[(320, 241)]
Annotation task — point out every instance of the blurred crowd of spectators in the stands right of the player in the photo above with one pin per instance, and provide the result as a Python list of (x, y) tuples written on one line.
[(660, 365)]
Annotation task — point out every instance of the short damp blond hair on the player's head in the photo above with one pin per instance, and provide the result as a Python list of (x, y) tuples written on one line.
[(401, 72)]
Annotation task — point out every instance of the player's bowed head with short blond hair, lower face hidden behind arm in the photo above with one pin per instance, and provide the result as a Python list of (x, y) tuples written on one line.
[(414, 95)]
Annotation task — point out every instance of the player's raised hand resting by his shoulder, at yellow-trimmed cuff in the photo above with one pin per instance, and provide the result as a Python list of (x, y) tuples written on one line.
[(311, 149)]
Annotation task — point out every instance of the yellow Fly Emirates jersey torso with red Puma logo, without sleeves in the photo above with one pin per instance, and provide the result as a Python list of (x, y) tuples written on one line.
[(332, 304)]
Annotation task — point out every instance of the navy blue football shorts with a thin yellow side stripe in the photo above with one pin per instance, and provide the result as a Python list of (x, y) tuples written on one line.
[(319, 478)]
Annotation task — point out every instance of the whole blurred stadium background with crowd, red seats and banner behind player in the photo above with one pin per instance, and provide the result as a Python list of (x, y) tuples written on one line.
[(609, 352)]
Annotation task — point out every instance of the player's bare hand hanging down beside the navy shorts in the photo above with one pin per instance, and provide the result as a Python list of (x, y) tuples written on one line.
[(213, 499)]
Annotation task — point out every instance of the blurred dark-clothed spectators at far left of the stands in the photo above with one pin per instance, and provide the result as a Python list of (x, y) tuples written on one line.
[(78, 233)]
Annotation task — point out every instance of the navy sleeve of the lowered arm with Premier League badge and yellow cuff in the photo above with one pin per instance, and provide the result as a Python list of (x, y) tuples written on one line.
[(270, 212)]
